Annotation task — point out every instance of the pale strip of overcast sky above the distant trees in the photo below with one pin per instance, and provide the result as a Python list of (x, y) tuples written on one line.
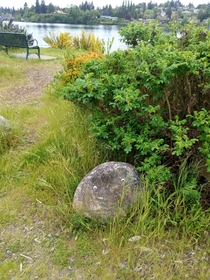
[(97, 3)]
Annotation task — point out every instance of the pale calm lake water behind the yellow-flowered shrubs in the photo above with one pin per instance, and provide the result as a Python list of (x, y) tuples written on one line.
[(106, 32)]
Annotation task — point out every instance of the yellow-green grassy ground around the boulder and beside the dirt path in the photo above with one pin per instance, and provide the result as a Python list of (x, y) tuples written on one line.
[(48, 151)]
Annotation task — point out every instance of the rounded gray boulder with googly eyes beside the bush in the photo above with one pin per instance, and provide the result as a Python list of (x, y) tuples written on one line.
[(108, 188)]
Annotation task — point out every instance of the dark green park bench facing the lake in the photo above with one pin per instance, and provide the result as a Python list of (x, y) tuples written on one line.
[(19, 40)]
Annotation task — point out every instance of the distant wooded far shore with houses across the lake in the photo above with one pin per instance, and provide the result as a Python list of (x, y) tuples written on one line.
[(87, 13)]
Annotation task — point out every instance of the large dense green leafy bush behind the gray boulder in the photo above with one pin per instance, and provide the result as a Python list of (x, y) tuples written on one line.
[(150, 104)]
